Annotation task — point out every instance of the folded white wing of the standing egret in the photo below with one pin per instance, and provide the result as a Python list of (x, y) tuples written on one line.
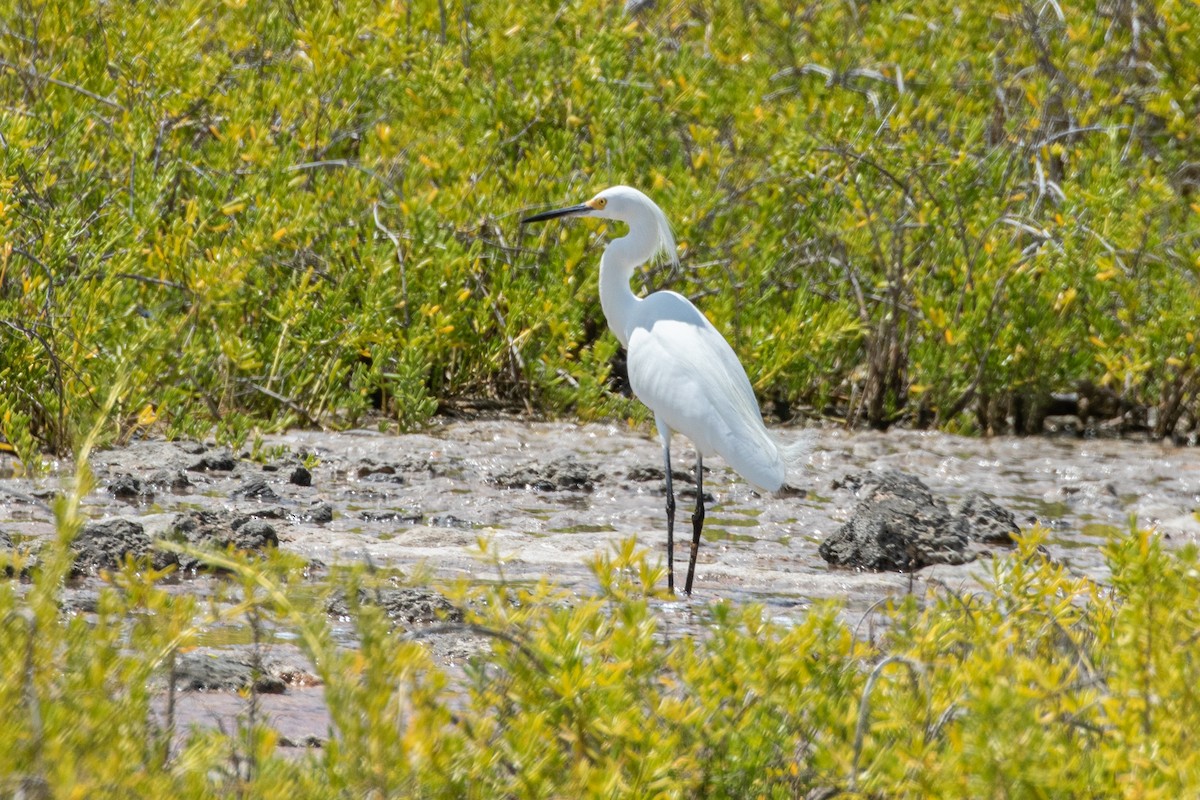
[(688, 375)]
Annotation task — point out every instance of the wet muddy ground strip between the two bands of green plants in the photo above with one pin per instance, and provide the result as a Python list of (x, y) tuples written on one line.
[(550, 496)]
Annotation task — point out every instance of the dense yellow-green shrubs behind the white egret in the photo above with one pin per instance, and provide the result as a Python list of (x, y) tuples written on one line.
[(304, 213)]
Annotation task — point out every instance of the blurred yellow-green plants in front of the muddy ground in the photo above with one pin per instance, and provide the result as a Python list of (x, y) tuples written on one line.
[(1045, 685)]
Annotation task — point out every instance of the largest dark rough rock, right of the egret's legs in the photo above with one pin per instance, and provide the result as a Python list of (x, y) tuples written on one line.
[(898, 525)]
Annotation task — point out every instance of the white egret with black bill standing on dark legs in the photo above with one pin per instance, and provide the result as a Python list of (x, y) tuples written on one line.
[(680, 366)]
